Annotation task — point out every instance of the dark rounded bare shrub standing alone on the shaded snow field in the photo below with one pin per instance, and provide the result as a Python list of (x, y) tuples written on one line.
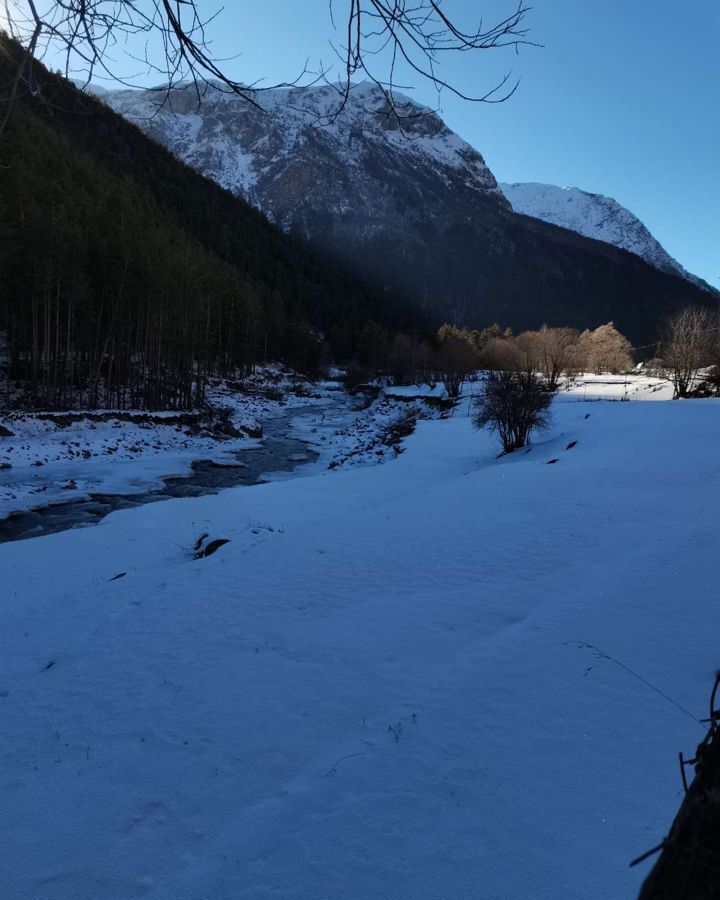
[(513, 404)]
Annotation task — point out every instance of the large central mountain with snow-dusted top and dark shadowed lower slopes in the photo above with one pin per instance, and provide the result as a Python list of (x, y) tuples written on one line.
[(408, 204)]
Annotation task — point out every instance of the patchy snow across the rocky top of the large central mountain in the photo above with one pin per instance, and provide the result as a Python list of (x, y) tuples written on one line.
[(237, 145)]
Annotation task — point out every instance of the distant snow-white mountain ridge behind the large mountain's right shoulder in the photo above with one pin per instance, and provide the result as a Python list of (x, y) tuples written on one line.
[(595, 216)]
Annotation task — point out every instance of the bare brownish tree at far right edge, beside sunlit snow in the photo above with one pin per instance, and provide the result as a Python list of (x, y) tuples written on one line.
[(691, 340)]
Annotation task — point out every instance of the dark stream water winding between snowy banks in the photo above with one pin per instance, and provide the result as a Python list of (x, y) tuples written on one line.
[(278, 452)]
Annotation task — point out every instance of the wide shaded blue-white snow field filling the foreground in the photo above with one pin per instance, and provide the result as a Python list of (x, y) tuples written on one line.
[(439, 678)]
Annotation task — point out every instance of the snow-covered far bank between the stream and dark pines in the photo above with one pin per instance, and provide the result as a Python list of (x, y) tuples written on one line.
[(46, 460)]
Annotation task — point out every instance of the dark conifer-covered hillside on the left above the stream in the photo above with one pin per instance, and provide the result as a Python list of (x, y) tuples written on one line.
[(127, 278)]
